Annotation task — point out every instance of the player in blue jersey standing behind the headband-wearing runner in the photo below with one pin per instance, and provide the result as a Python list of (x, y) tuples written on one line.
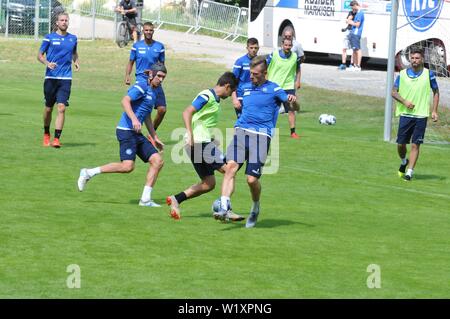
[(146, 53)]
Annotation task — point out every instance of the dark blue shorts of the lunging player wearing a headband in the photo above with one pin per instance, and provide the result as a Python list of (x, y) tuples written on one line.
[(132, 144)]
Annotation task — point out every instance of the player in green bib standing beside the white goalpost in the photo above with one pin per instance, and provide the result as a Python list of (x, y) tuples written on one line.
[(412, 90)]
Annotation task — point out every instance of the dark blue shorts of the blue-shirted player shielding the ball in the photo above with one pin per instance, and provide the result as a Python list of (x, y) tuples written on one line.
[(251, 148)]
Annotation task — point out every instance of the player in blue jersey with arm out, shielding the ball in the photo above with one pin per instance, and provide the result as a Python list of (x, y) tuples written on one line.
[(253, 132)]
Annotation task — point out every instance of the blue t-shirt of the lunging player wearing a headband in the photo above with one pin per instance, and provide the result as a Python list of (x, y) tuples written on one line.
[(142, 103)]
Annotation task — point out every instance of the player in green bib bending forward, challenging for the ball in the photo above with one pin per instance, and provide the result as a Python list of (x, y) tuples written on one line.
[(200, 118)]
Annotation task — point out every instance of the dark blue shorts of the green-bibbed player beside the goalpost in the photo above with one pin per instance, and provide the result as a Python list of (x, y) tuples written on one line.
[(411, 127)]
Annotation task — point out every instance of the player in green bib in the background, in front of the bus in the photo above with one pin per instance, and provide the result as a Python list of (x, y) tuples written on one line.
[(285, 70)]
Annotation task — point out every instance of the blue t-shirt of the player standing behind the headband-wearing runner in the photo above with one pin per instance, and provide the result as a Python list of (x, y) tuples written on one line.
[(145, 56)]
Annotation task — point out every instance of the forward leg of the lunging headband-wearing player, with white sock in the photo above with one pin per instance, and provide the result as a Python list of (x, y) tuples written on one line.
[(148, 153)]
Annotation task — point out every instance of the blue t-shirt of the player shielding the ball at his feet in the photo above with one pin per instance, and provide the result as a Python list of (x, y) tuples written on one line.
[(261, 106)]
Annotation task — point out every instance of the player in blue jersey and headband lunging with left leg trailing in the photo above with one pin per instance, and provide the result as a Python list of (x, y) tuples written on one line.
[(138, 104)]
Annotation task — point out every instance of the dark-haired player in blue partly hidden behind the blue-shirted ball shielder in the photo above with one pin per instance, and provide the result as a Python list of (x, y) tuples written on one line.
[(241, 70)]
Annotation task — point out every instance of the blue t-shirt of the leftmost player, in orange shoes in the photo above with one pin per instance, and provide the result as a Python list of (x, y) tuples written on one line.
[(59, 49)]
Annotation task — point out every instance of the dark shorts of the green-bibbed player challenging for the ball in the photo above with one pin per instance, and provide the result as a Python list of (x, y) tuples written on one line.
[(206, 158)]
